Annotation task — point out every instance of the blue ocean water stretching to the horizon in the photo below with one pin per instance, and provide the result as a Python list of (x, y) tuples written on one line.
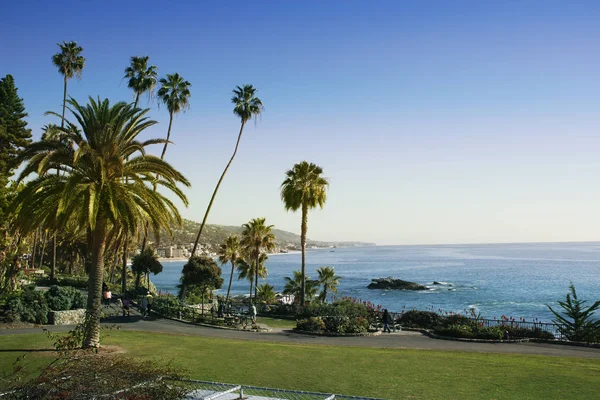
[(516, 280)]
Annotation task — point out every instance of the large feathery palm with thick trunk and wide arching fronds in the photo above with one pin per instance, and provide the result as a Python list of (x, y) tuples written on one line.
[(93, 190)]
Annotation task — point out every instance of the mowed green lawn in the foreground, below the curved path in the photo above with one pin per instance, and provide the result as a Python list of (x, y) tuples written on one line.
[(386, 373)]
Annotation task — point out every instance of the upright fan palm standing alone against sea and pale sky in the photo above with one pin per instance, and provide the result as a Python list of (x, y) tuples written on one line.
[(304, 188)]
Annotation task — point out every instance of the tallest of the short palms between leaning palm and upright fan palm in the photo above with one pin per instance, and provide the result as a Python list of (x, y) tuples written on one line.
[(257, 240)]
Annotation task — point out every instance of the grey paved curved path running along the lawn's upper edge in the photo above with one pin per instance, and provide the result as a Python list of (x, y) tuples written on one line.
[(399, 340)]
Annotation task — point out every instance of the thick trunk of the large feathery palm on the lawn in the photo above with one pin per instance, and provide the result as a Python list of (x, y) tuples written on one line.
[(92, 324)]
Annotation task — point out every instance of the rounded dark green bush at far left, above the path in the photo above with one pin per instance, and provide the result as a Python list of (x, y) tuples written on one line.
[(28, 306)]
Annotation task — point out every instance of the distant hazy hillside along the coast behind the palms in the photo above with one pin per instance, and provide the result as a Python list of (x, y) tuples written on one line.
[(214, 235)]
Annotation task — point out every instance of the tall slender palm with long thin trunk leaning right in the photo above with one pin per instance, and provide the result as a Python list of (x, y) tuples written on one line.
[(246, 107)]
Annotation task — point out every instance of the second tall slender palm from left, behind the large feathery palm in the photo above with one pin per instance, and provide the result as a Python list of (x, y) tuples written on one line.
[(141, 78)]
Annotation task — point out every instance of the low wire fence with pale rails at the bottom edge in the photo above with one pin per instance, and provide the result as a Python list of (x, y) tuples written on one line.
[(203, 390)]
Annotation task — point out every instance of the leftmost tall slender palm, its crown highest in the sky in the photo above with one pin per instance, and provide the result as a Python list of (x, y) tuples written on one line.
[(70, 63)]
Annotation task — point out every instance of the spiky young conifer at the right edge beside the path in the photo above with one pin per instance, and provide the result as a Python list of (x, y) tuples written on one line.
[(576, 322)]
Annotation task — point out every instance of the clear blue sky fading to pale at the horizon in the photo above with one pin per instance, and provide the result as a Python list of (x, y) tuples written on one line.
[(436, 121)]
